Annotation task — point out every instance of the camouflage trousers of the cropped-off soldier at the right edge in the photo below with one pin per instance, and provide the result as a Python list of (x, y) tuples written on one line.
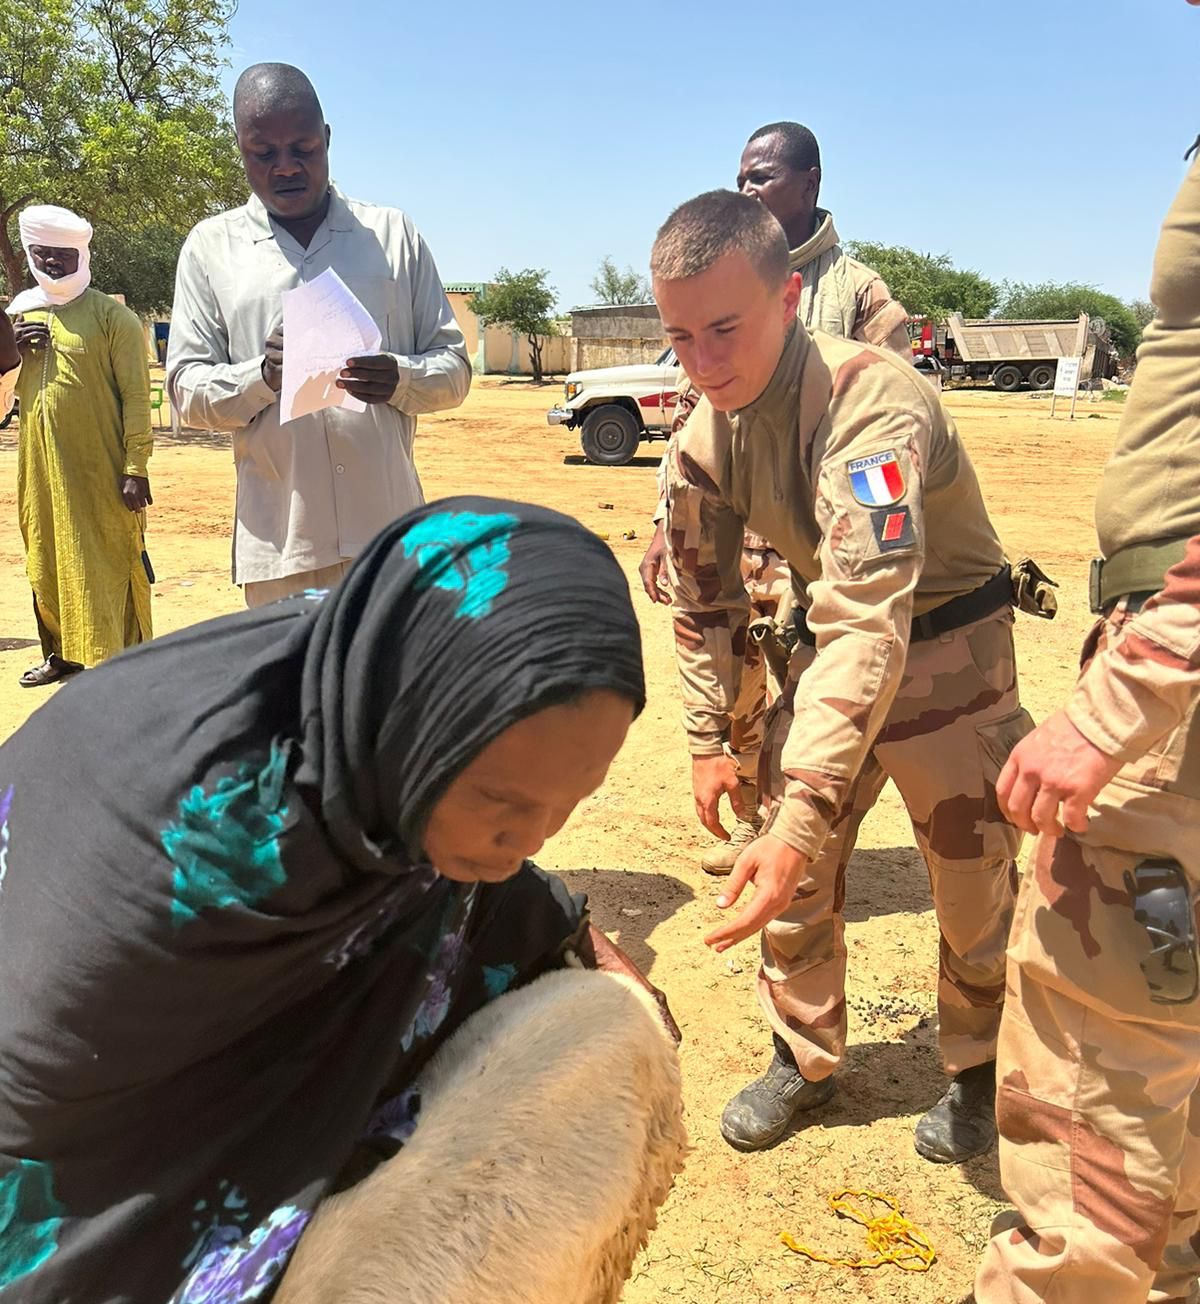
[(1099, 1088)]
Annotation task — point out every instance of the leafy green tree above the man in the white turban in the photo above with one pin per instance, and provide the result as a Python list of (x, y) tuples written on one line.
[(114, 109)]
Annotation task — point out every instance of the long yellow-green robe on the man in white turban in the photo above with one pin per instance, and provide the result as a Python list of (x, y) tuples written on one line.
[(85, 424)]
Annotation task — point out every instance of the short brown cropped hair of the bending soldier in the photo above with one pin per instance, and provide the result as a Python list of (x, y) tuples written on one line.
[(706, 229)]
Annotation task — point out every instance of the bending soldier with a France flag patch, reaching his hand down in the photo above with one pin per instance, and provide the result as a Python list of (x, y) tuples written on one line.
[(842, 456)]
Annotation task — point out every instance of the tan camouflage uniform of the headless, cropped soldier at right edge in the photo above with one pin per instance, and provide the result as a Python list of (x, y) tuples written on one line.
[(1098, 1101)]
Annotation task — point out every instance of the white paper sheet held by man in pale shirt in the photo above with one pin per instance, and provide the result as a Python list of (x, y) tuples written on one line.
[(323, 327)]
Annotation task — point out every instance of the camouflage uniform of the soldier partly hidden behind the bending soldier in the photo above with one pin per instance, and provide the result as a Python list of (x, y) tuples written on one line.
[(841, 297)]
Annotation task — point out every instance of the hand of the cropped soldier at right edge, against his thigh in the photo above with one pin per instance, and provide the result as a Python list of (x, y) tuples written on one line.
[(1055, 766)]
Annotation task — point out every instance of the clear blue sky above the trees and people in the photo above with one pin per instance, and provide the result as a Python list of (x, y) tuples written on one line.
[(1032, 140)]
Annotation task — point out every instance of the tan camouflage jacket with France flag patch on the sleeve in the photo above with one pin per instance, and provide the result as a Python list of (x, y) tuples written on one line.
[(851, 467)]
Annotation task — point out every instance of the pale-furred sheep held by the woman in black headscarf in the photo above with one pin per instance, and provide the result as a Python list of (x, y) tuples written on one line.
[(551, 1131)]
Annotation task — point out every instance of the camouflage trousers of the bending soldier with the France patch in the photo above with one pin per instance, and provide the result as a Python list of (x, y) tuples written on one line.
[(952, 727)]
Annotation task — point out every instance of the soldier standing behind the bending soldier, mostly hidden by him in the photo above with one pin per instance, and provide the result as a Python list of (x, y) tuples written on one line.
[(781, 168)]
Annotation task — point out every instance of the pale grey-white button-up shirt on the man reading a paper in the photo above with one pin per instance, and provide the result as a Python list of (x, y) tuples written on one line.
[(318, 491)]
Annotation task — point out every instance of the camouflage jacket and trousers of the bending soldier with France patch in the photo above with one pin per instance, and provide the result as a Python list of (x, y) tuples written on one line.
[(937, 717)]
